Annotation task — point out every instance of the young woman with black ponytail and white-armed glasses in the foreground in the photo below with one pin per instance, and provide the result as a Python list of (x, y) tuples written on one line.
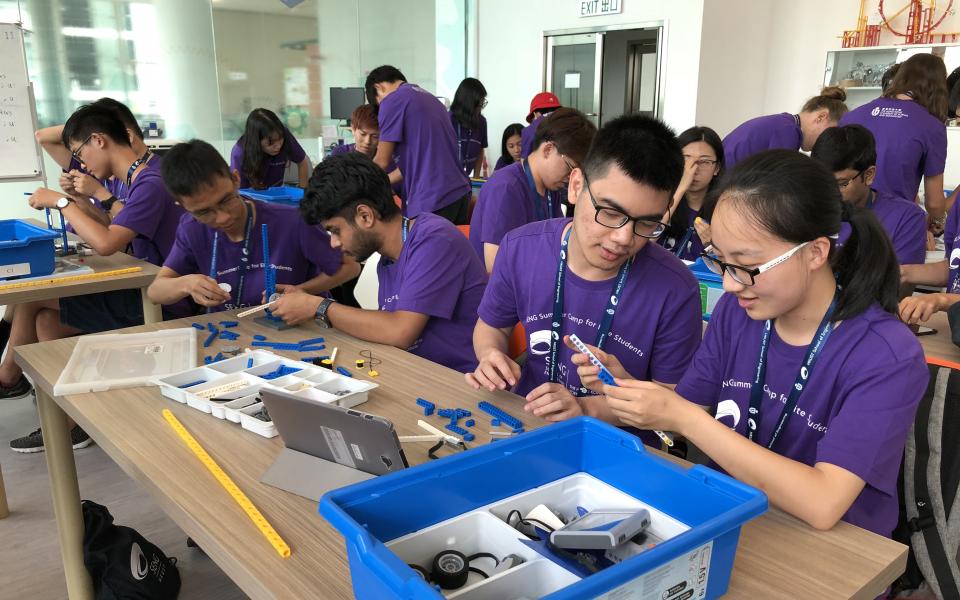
[(805, 344)]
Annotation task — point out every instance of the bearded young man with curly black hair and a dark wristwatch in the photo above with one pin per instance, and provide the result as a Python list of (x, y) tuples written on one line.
[(431, 280)]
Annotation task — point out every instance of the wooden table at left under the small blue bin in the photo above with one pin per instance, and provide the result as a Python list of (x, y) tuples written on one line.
[(62, 289)]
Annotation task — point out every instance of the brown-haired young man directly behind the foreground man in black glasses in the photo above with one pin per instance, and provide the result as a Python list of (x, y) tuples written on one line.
[(526, 191)]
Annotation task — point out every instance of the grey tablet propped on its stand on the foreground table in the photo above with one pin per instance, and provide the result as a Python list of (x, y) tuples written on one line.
[(327, 446)]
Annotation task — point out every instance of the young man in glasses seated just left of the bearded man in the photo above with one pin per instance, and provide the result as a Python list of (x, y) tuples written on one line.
[(217, 258)]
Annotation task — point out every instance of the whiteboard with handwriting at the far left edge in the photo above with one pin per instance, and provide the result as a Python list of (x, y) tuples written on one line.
[(19, 151)]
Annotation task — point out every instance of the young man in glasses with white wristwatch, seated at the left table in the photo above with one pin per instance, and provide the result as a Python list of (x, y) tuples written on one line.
[(98, 140)]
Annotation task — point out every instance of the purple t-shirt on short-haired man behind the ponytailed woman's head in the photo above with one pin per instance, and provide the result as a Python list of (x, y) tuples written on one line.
[(904, 222)]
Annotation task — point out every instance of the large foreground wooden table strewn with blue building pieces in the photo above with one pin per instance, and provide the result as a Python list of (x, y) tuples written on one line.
[(778, 556)]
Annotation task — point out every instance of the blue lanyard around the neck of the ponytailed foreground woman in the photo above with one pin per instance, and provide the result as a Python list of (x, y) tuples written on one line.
[(806, 369)]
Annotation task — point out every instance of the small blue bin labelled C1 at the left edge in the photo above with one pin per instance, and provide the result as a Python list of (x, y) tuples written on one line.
[(26, 250)]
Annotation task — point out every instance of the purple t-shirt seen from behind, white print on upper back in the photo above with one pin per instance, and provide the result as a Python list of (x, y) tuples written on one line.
[(911, 143)]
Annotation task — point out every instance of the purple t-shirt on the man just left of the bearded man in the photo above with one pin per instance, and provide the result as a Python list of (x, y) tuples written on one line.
[(298, 252)]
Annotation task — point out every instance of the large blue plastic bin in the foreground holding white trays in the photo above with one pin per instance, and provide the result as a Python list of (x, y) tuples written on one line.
[(375, 512)]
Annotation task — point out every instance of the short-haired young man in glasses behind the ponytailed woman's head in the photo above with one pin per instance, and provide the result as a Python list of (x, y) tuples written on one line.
[(851, 153)]
